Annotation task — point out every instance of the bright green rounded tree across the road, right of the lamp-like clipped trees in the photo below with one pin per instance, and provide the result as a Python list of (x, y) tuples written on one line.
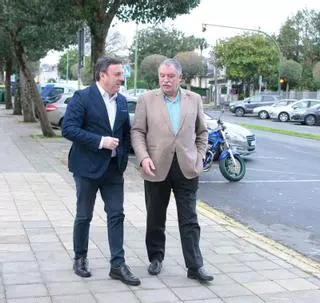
[(247, 57)]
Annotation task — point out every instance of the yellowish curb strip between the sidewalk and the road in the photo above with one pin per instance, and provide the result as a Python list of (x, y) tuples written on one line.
[(287, 254)]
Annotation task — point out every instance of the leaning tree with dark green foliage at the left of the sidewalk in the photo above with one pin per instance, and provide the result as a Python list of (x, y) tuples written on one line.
[(34, 29)]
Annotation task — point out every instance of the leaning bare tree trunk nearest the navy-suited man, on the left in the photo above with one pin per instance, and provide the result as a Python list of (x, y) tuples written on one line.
[(46, 128)]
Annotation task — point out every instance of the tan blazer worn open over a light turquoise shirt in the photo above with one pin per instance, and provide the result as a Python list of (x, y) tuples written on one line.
[(152, 135)]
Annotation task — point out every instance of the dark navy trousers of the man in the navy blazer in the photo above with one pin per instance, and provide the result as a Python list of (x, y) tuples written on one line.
[(111, 189)]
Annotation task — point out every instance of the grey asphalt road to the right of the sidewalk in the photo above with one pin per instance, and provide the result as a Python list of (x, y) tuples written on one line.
[(280, 194)]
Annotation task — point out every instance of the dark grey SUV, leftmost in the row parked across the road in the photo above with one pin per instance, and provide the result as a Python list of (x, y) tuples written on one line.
[(246, 106)]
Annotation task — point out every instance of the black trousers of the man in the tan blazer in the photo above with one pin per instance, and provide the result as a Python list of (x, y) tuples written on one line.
[(157, 196)]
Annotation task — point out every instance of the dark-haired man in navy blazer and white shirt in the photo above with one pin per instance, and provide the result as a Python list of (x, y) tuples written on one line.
[(97, 122)]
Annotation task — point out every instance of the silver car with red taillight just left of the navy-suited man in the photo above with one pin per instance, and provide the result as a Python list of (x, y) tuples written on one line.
[(55, 111)]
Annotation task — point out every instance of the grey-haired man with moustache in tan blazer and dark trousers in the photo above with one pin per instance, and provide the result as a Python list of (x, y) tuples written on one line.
[(169, 137)]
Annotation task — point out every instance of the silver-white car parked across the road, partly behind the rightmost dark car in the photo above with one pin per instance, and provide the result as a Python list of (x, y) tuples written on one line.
[(283, 113)]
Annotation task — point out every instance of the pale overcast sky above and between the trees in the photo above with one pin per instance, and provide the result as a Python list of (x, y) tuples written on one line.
[(268, 16)]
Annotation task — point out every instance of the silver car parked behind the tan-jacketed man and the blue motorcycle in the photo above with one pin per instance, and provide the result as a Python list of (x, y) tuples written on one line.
[(243, 140)]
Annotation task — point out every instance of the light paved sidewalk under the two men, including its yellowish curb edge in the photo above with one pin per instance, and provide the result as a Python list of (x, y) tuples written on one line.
[(37, 206)]
